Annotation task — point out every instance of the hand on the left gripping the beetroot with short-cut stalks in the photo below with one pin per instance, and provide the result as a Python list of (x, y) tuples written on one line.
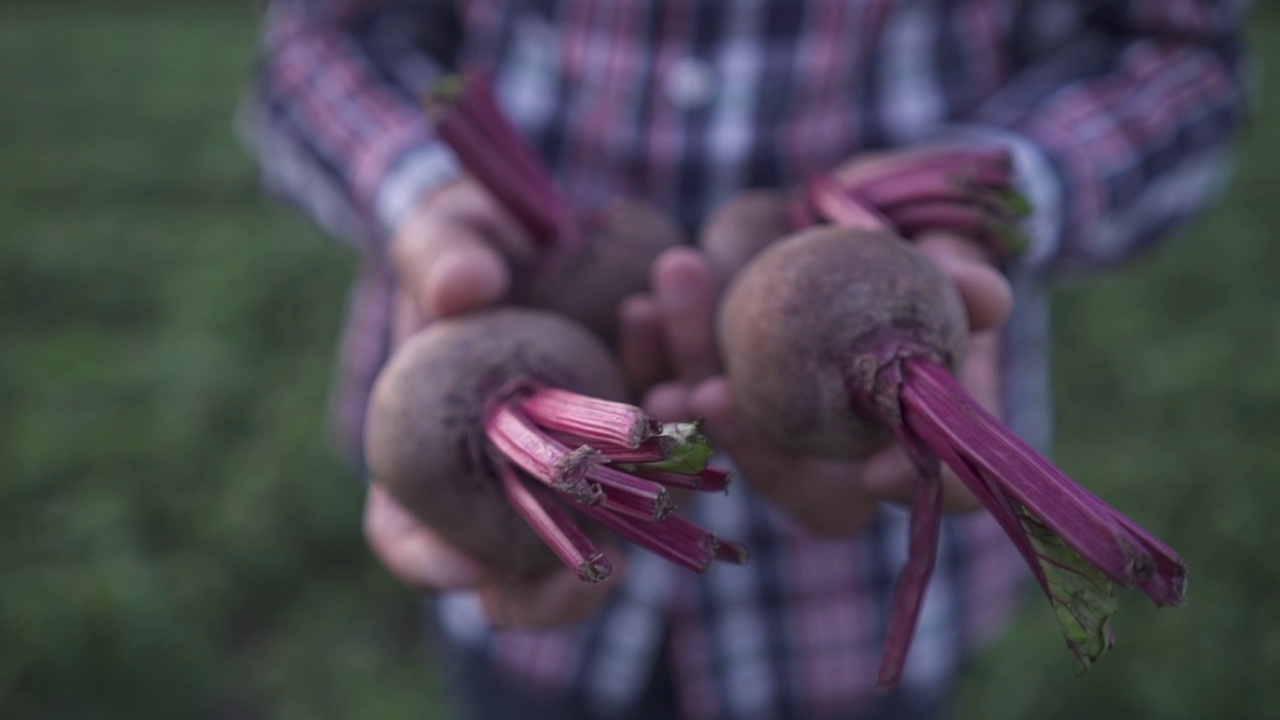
[(454, 254)]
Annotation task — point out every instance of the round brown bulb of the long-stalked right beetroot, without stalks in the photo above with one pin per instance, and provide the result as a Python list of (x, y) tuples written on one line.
[(793, 321)]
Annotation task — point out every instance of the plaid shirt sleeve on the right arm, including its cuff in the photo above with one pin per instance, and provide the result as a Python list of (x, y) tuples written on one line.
[(1121, 122)]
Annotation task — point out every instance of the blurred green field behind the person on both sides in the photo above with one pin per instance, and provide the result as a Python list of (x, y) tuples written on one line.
[(177, 540)]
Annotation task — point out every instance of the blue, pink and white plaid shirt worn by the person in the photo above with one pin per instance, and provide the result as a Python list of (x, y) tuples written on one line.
[(1119, 115)]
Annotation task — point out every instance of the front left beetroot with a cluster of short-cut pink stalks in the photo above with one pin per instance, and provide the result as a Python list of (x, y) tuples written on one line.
[(502, 430)]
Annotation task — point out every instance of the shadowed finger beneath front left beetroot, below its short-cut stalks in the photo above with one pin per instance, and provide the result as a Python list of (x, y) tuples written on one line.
[(556, 600)]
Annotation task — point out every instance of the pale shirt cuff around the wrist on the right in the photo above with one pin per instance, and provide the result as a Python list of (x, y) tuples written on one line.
[(1035, 176)]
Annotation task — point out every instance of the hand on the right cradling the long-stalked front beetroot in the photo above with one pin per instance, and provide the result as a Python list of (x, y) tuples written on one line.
[(671, 335)]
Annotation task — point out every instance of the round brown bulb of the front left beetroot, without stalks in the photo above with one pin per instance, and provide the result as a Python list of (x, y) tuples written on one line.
[(426, 439)]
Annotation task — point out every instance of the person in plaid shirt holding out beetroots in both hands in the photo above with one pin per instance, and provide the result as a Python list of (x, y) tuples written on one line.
[(1119, 116)]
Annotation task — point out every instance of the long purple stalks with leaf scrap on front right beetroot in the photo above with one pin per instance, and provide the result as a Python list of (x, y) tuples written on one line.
[(1075, 544)]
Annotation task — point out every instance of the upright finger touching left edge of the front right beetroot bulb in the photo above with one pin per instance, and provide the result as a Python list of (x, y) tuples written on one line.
[(685, 289)]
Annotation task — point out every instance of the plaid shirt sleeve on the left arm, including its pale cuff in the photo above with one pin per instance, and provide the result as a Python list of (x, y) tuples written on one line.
[(333, 115)]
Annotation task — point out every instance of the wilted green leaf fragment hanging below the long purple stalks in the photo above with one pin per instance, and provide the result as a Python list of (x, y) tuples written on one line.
[(1082, 596)]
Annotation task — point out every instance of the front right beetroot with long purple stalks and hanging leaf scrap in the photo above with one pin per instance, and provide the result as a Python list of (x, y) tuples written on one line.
[(838, 340)]
